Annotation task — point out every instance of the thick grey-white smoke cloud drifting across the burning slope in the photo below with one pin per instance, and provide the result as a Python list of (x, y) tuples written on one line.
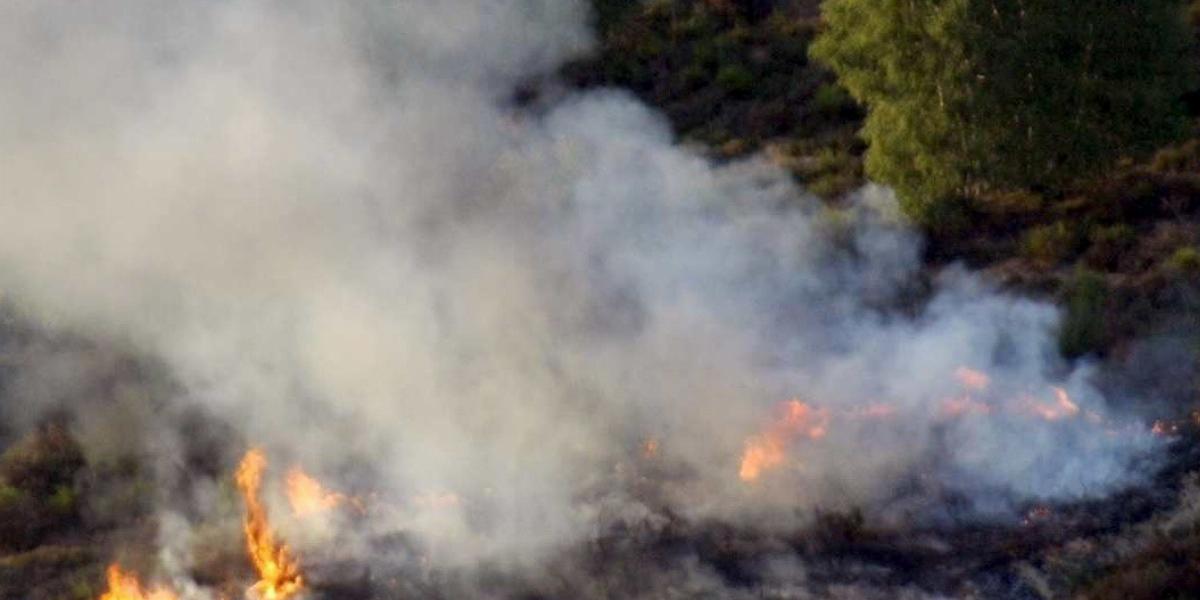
[(339, 233)]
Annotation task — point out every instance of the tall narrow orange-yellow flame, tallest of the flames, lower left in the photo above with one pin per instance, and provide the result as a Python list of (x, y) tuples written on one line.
[(278, 571)]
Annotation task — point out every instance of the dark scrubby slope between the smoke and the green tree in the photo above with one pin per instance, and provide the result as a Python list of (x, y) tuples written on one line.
[(735, 79)]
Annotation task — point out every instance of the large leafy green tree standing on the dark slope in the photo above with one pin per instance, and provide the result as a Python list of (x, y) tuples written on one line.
[(967, 97)]
